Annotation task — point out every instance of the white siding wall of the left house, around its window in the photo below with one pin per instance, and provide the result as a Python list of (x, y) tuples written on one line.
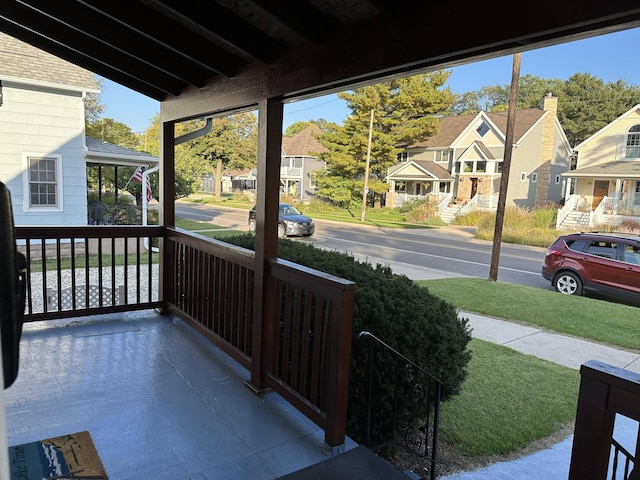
[(43, 123)]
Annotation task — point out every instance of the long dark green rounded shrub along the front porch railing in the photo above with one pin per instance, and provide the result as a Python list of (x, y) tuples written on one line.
[(421, 326)]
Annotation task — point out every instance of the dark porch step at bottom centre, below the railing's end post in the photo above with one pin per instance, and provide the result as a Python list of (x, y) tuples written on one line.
[(359, 463)]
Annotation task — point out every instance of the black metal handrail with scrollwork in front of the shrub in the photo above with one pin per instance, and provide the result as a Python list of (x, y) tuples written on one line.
[(403, 402)]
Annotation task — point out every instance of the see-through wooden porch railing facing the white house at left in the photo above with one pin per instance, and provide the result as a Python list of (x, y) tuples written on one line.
[(75, 271)]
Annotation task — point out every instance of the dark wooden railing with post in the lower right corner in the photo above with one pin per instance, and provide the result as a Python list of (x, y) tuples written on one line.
[(605, 391)]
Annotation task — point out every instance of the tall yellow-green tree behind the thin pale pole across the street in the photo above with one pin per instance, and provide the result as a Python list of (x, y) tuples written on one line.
[(405, 110)]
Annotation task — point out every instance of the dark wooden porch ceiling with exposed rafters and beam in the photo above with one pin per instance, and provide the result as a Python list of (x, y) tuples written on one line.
[(230, 54)]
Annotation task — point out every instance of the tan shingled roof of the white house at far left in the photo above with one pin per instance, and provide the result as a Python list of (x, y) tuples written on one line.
[(20, 61)]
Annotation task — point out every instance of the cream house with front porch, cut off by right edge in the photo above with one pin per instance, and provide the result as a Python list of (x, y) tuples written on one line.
[(604, 187)]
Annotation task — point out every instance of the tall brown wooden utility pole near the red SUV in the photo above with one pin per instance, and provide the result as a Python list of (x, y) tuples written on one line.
[(506, 166)]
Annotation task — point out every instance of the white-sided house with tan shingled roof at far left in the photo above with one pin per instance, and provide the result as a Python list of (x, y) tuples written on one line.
[(43, 152)]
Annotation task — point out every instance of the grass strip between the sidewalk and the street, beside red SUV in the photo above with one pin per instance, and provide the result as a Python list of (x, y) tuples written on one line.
[(589, 318)]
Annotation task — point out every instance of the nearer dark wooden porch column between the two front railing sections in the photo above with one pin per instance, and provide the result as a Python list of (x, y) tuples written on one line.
[(270, 114)]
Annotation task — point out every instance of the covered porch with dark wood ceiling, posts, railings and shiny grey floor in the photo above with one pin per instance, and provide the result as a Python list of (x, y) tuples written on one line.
[(288, 326)]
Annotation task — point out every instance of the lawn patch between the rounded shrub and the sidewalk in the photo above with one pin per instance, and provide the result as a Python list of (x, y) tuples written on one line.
[(508, 401)]
